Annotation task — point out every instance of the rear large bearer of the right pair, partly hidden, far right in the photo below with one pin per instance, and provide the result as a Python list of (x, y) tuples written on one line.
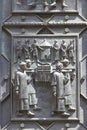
[(68, 85)]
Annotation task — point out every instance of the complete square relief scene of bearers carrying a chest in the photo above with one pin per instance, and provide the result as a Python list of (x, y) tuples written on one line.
[(44, 78)]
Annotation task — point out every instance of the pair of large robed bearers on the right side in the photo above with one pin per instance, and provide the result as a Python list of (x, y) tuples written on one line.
[(62, 90)]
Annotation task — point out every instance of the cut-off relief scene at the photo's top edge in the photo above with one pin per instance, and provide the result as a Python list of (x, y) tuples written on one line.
[(43, 5)]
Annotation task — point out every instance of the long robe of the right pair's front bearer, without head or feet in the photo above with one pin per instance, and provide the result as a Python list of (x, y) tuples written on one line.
[(58, 104)]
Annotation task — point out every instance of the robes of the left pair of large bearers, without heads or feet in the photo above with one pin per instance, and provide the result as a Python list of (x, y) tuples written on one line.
[(27, 94)]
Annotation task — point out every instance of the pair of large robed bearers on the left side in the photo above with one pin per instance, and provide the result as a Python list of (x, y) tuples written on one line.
[(25, 91)]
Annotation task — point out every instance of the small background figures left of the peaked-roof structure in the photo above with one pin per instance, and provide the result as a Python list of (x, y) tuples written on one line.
[(27, 50)]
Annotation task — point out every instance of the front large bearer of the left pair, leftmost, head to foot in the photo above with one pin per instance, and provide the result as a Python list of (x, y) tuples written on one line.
[(22, 89)]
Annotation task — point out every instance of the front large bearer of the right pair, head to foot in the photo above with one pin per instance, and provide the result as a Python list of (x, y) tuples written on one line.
[(58, 99)]
